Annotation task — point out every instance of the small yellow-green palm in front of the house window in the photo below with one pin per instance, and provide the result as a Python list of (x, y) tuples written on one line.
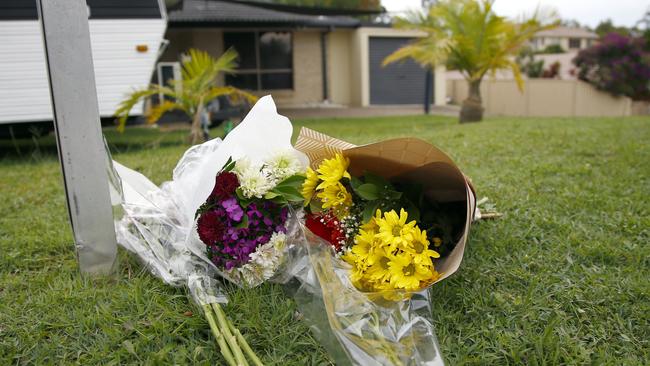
[(198, 86)]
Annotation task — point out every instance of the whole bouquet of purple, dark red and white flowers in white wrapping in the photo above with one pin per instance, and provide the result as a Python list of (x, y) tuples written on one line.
[(225, 213)]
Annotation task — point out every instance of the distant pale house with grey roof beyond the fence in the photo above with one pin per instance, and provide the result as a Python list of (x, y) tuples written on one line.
[(569, 38)]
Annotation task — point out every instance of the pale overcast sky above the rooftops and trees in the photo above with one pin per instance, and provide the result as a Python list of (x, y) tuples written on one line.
[(589, 12)]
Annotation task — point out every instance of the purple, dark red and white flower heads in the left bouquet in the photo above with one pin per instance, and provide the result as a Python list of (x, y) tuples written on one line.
[(243, 222)]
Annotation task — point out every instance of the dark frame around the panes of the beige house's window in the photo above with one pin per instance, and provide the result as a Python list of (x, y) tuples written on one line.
[(258, 71)]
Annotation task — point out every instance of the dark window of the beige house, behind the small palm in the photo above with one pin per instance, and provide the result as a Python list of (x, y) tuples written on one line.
[(265, 60)]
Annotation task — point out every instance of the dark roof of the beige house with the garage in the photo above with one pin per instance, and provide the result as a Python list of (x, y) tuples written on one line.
[(233, 14)]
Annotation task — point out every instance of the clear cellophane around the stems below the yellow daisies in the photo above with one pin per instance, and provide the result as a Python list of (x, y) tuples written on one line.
[(359, 328)]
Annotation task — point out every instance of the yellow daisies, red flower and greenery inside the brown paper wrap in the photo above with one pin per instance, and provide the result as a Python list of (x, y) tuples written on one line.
[(374, 225)]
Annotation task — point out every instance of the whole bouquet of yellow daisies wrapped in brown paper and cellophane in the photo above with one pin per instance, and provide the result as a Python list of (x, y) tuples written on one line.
[(383, 222)]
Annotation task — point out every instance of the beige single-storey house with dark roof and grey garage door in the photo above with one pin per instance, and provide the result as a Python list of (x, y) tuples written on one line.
[(301, 56)]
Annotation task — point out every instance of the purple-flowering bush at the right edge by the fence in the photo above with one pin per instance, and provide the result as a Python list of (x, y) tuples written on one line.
[(617, 64)]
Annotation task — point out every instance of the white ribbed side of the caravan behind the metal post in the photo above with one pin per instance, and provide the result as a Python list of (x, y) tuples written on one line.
[(126, 36)]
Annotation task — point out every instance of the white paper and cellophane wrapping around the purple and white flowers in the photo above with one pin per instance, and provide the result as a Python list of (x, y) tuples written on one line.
[(158, 223)]
